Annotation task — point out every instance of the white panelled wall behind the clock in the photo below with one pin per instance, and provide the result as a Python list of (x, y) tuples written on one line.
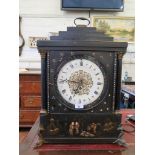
[(39, 17)]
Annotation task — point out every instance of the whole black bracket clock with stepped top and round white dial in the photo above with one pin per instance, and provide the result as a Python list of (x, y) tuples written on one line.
[(81, 80)]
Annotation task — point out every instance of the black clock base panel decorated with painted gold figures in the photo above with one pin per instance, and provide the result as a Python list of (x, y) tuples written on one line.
[(80, 128)]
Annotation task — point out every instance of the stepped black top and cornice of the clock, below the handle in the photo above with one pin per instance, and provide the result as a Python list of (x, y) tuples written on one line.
[(85, 37)]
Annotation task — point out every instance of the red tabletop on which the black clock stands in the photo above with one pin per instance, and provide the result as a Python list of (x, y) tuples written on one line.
[(27, 145)]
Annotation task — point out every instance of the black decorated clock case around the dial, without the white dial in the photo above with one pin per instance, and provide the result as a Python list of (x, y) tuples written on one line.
[(97, 123)]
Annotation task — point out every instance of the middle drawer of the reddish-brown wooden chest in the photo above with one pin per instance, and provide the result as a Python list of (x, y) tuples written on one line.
[(30, 101)]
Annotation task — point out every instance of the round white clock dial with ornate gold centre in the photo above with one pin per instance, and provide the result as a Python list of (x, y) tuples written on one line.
[(80, 82)]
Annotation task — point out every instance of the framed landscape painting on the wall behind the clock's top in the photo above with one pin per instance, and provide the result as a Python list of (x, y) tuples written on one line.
[(121, 28)]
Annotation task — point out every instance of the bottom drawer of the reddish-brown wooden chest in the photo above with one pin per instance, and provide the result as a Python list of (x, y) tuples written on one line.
[(26, 116)]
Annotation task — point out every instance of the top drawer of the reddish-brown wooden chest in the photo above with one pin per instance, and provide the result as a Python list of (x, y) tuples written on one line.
[(30, 87)]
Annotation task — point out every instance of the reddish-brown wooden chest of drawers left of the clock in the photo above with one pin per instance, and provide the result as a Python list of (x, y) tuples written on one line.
[(29, 99)]
